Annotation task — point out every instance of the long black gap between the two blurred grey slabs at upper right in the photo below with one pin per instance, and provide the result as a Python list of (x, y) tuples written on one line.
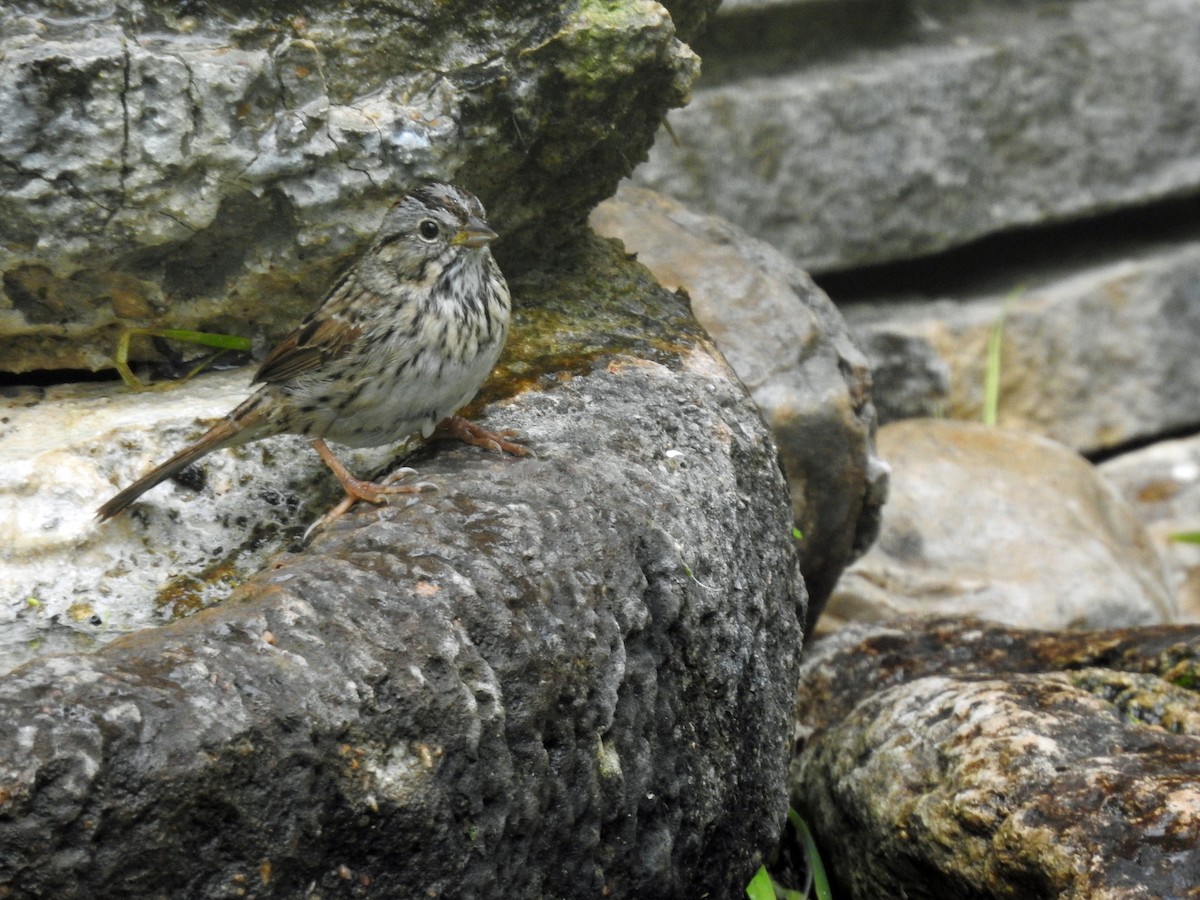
[(1022, 260)]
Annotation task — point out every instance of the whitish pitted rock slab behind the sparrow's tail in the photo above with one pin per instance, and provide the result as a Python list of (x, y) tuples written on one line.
[(74, 584)]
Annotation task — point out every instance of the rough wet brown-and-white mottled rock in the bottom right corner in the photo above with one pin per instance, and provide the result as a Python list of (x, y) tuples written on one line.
[(962, 760)]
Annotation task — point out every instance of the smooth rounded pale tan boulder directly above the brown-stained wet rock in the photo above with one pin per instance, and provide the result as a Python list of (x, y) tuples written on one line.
[(1005, 526)]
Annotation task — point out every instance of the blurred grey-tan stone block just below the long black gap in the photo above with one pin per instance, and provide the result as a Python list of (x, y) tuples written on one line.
[(1096, 358)]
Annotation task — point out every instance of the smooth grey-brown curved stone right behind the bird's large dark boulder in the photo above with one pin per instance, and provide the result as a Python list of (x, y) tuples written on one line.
[(791, 349)]
